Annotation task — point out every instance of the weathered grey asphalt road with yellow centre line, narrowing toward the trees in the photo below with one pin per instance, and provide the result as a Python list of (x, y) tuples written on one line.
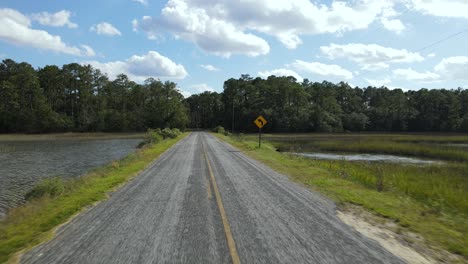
[(204, 201)]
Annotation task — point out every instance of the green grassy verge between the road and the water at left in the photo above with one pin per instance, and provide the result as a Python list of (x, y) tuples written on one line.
[(35, 221)]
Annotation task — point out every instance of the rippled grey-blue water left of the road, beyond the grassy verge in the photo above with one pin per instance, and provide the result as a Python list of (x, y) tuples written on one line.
[(24, 163)]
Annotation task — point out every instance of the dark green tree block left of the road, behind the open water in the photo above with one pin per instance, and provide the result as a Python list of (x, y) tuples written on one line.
[(79, 98)]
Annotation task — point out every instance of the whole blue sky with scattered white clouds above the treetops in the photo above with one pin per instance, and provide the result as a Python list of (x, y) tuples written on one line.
[(407, 44)]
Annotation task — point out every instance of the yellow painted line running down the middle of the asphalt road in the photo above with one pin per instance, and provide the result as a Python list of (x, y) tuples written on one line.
[(227, 228)]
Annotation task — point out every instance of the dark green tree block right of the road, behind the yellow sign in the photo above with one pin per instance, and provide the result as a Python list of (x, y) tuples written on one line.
[(290, 106)]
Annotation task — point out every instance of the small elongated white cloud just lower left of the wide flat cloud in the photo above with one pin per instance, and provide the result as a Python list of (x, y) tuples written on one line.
[(328, 70)]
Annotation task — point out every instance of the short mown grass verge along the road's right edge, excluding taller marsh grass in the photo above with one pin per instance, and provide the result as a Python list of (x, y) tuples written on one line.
[(442, 227)]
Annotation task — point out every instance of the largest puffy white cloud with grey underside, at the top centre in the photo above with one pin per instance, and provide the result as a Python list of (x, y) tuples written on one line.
[(227, 27)]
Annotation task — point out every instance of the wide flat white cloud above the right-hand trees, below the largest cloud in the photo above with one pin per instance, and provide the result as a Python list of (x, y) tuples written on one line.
[(370, 55)]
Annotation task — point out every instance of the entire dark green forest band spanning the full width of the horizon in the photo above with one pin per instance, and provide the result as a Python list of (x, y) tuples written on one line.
[(79, 98)]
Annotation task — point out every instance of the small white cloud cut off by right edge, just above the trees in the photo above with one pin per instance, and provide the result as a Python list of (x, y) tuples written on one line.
[(453, 68)]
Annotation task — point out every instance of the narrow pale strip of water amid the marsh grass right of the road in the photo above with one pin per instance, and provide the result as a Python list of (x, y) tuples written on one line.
[(367, 157)]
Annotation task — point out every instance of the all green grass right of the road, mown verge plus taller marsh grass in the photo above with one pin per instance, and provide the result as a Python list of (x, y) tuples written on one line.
[(430, 201)]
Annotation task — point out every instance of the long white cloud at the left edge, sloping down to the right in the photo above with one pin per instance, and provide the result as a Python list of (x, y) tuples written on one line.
[(16, 28)]
